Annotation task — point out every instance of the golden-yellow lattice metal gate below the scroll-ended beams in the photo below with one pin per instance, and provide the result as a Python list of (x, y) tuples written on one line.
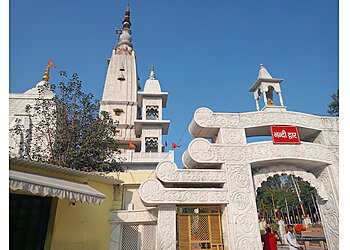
[(199, 228)]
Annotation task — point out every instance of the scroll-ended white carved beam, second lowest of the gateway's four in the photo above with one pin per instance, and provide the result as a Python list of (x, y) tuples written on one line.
[(167, 171)]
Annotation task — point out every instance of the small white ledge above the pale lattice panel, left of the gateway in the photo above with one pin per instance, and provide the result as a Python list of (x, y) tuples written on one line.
[(138, 216)]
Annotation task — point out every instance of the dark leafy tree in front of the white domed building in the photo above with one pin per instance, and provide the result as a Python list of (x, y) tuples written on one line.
[(76, 135)]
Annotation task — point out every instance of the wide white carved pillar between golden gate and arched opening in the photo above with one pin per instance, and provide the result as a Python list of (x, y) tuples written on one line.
[(242, 207)]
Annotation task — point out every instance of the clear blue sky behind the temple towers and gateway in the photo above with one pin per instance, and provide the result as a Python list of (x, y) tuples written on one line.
[(206, 53)]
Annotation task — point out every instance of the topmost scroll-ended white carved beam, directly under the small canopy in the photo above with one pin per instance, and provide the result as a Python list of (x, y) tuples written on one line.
[(206, 123)]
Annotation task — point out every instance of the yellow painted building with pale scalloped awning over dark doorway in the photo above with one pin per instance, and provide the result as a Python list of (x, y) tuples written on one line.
[(75, 218)]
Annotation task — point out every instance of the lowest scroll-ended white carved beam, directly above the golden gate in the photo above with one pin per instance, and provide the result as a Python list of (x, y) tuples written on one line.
[(152, 192)]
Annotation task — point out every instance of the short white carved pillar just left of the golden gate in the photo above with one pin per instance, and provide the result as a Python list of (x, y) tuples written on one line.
[(166, 227)]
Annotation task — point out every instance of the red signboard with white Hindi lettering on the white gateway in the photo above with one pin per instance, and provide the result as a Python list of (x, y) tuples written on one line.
[(285, 135)]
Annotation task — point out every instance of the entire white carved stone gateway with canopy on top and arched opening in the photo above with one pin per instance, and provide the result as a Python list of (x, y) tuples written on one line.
[(218, 174)]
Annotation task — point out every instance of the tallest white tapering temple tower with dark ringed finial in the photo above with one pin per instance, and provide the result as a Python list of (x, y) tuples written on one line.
[(121, 86)]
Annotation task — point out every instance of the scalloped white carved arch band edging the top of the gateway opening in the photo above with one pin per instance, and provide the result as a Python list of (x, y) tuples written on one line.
[(264, 173)]
